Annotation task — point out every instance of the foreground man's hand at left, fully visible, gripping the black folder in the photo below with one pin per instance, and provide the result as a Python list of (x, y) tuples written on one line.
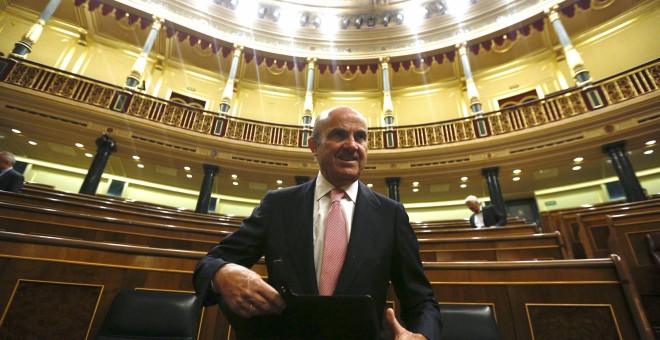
[(245, 292)]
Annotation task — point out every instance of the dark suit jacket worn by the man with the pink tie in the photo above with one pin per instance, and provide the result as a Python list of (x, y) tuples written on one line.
[(382, 248)]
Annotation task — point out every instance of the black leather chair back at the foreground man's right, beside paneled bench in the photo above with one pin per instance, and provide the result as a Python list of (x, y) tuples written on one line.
[(468, 322)]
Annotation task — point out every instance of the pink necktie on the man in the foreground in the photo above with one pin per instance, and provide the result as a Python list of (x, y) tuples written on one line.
[(334, 249)]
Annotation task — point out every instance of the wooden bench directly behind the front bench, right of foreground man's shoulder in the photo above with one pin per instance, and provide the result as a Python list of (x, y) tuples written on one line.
[(497, 248)]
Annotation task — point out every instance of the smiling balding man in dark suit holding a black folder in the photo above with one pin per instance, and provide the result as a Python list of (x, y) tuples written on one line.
[(288, 229)]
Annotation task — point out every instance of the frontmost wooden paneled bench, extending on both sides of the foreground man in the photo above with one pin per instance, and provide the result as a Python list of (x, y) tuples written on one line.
[(532, 299)]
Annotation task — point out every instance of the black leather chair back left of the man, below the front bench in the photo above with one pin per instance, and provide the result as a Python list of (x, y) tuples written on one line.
[(151, 314)]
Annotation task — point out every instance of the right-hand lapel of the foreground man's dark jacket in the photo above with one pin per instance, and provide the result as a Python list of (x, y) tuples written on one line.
[(364, 230)]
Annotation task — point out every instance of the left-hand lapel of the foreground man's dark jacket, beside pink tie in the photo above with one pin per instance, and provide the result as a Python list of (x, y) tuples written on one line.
[(299, 237)]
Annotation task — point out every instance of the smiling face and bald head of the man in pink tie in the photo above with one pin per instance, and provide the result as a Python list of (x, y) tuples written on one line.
[(342, 148)]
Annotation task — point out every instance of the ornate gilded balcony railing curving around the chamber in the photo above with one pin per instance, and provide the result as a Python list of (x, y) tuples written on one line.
[(633, 83)]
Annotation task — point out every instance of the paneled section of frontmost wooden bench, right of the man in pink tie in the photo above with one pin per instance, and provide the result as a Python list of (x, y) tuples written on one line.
[(558, 299)]
